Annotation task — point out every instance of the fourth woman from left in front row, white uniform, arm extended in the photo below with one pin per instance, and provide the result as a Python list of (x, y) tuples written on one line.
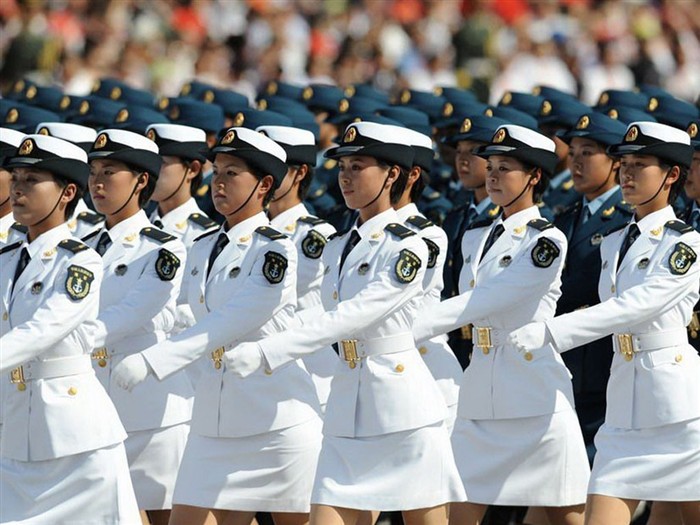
[(385, 446)]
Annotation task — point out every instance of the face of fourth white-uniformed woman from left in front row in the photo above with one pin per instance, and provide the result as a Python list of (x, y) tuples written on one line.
[(361, 179)]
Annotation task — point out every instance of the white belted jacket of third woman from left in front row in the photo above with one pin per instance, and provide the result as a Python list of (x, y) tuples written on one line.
[(249, 292)]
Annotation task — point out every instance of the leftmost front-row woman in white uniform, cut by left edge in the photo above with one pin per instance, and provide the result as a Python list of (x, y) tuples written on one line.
[(62, 459)]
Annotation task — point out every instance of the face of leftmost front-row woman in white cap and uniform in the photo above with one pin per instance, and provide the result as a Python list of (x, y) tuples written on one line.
[(34, 194)]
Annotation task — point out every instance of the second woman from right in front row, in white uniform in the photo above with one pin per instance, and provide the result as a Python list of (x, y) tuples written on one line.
[(516, 439)]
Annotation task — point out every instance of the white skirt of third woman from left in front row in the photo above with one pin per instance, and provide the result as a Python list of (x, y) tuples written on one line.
[(271, 472)]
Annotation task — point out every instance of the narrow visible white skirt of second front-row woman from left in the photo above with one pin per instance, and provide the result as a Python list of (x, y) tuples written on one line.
[(154, 458)]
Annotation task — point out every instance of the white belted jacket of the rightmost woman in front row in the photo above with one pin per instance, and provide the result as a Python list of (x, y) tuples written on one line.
[(651, 297)]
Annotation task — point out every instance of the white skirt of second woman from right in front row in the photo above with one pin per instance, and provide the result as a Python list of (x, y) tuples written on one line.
[(533, 461)]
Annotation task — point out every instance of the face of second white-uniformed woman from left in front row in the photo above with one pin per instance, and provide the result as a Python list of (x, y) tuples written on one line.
[(111, 184)]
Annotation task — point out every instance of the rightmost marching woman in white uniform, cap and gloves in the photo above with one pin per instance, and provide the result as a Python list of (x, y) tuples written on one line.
[(649, 445)]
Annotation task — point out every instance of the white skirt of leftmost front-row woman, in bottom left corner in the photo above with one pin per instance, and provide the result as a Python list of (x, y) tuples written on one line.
[(91, 488)]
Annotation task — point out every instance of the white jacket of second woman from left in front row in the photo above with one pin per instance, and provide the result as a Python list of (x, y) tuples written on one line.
[(143, 269)]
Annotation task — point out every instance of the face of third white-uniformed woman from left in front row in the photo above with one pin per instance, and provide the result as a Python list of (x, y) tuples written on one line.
[(232, 183)]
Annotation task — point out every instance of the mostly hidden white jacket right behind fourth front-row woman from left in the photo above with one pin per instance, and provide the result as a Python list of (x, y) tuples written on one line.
[(437, 354)]
